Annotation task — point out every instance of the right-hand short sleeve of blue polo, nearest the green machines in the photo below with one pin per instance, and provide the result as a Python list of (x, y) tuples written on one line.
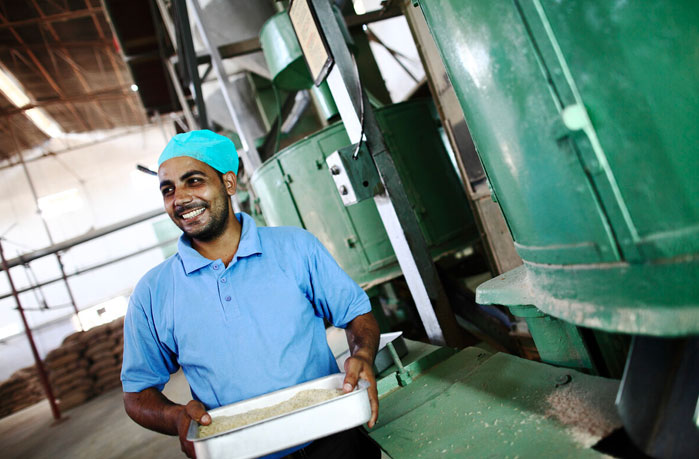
[(334, 294)]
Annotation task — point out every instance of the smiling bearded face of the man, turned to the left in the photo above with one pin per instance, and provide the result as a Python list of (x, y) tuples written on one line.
[(196, 197)]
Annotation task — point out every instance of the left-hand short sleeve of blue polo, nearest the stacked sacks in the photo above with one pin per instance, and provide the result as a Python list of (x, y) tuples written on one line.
[(147, 362)]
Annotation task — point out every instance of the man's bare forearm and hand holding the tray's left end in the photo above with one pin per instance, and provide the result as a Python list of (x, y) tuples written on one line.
[(151, 409)]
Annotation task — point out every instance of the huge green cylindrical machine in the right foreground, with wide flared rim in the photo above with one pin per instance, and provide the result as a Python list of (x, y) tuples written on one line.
[(584, 117)]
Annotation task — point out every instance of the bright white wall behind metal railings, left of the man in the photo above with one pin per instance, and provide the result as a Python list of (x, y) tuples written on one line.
[(108, 189)]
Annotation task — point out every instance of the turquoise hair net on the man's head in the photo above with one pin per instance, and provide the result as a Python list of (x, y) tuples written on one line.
[(206, 146)]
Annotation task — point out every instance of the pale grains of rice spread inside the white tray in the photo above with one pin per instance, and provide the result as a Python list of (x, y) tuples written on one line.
[(301, 399)]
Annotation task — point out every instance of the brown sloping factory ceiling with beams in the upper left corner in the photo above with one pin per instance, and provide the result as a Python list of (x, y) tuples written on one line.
[(69, 64)]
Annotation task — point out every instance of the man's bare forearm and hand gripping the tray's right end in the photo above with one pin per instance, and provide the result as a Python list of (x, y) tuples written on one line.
[(363, 338)]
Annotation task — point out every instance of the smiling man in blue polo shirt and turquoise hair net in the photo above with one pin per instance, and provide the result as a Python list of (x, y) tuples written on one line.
[(239, 308)]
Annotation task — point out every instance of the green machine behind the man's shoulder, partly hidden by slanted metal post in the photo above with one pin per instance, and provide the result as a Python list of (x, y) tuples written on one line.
[(295, 186)]
